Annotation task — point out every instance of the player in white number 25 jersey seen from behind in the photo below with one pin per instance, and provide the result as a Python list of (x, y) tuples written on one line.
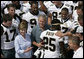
[(52, 44)]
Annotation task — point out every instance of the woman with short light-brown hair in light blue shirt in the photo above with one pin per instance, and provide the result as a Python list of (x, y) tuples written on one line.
[(23, 42)]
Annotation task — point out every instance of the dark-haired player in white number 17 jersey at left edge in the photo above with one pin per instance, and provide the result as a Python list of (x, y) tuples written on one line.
[(7, 37)]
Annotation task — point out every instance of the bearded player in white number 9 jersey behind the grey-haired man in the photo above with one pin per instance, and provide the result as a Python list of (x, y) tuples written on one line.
[(32, 16)]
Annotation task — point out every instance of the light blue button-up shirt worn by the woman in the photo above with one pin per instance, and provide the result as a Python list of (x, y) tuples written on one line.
[(22, 44)]
